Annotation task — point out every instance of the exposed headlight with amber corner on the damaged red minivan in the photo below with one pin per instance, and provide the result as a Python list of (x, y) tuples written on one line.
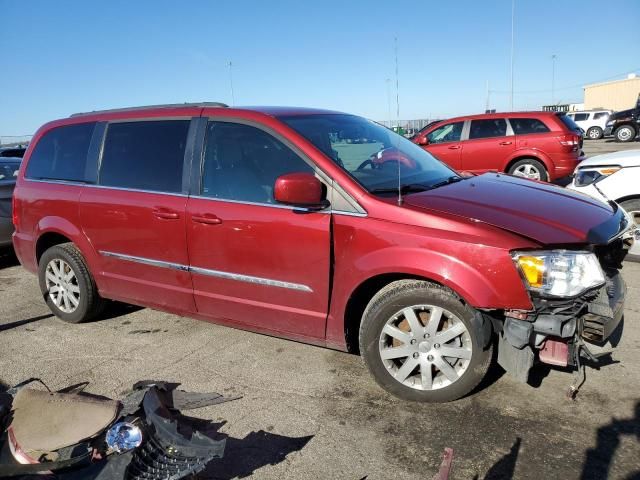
[(559, 273)]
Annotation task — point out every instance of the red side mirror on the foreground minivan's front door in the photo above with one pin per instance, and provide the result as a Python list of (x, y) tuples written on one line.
[(300, 190)]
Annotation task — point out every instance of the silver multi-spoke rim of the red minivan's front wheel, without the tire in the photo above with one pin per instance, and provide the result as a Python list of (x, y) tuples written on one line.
[(425, 347)]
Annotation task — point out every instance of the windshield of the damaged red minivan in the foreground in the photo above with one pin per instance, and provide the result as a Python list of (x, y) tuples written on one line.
[(372, 154)]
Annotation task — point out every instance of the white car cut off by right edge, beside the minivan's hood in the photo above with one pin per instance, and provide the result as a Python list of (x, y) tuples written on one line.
[(613, 176)]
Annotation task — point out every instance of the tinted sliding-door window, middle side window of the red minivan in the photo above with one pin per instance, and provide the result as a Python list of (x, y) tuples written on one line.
[(147, 155)]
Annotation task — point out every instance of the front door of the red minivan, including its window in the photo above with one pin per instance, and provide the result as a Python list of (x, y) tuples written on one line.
[(254, 262)]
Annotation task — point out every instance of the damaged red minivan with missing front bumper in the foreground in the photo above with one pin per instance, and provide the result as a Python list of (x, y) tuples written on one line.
[(321, 227)]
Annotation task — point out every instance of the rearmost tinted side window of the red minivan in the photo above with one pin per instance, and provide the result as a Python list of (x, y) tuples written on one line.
[(61, 154)]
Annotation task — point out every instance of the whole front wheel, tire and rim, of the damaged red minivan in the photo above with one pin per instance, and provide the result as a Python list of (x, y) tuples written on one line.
[(420, 342)]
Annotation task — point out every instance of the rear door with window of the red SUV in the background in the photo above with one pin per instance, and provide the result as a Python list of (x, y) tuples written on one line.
[(489, 147)]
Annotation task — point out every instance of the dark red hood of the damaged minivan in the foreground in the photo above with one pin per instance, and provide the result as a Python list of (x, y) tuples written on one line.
[(542, 212)]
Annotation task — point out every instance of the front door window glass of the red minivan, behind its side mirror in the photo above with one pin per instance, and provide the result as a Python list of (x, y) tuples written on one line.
[(242, 163)]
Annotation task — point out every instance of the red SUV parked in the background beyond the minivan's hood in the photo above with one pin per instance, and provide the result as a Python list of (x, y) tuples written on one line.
[(539, 145)]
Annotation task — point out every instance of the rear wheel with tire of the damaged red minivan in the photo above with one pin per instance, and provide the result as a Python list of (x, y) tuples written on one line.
[(67, 285)]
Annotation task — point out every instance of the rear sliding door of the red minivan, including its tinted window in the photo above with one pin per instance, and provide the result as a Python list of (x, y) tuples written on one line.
[(135, 218)]
